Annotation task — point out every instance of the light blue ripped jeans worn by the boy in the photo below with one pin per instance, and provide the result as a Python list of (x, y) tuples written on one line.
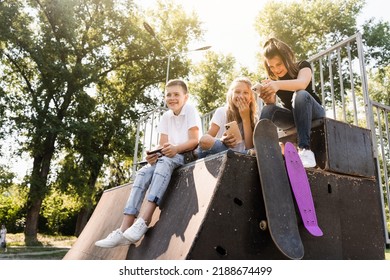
[(154, 177)]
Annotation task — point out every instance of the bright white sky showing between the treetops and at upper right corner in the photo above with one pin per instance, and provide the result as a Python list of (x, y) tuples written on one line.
[(230, 25)]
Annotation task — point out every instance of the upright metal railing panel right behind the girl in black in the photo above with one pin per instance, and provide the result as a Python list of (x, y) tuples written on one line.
[(339, 77)]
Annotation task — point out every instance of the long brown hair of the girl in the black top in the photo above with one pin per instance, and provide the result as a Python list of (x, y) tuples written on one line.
[(275, 47)]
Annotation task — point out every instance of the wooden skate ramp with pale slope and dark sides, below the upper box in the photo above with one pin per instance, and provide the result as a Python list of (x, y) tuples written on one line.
[(214, 209)]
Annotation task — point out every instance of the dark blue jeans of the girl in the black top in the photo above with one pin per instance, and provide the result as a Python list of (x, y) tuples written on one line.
[(305, 109)]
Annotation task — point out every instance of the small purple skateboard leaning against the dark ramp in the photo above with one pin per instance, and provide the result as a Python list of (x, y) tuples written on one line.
[(301, 189)]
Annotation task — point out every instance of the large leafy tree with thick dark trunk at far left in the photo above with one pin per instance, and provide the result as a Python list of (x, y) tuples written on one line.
[(53, 52)]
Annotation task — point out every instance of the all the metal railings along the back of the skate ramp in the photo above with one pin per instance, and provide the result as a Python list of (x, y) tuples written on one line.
[(340, 79)]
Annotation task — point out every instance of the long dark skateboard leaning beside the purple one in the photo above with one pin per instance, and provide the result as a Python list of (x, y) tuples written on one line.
[(275, 186)]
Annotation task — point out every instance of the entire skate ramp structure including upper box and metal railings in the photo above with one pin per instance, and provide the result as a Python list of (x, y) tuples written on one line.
[(213, 208)]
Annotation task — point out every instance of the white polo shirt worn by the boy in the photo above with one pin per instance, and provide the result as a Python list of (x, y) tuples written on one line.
[(176, 127)]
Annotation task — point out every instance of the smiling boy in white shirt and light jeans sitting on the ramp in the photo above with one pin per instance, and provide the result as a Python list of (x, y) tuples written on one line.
[(179, 130)]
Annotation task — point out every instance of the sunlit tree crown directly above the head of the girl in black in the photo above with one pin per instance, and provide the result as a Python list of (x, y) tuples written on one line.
[(308, 26)]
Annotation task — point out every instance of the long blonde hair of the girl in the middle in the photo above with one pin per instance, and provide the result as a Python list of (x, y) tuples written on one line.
[(232, 113)]
